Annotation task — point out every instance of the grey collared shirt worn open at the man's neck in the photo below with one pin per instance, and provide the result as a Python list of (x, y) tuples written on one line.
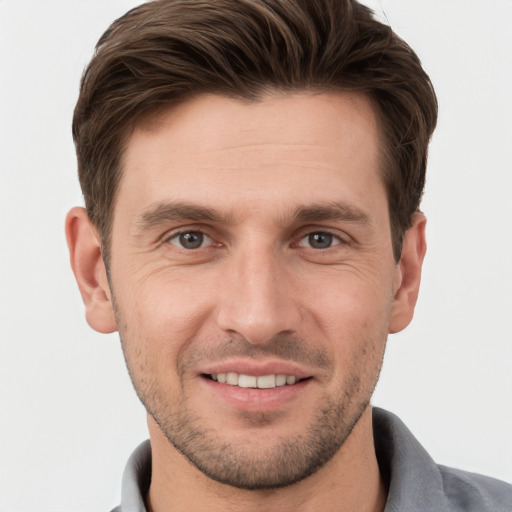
[(415, 482)]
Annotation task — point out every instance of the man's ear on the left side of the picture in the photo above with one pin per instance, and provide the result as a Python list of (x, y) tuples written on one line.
[(90, 273)]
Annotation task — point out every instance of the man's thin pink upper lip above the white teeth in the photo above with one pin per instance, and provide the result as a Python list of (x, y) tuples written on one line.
[(257, 368)]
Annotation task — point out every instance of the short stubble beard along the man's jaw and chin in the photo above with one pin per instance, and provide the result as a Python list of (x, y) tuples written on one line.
[(259, 466)]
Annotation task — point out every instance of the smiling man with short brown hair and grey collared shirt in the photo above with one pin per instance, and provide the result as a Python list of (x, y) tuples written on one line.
[(252, 172)]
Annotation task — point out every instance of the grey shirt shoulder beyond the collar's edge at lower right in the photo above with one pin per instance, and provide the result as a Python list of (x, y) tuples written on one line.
[(473, 492)]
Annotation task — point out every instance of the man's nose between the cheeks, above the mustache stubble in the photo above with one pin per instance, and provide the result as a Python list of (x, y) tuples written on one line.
[(257, 296)]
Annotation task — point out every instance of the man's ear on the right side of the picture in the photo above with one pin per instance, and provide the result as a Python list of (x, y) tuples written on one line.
[(408, 275)]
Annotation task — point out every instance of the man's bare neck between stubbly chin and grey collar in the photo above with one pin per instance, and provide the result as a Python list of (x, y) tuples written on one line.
[(349, 482)]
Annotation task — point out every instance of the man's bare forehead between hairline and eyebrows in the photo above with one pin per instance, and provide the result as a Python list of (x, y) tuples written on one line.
[(278, 152)]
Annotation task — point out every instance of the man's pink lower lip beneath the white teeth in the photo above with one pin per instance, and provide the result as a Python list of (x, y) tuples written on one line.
[(257, 400)]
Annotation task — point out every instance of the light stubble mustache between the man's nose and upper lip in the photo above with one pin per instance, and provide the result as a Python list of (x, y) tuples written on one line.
[(286, 347)]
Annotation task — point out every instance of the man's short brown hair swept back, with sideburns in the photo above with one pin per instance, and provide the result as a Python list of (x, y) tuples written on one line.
[(166, 51)]
